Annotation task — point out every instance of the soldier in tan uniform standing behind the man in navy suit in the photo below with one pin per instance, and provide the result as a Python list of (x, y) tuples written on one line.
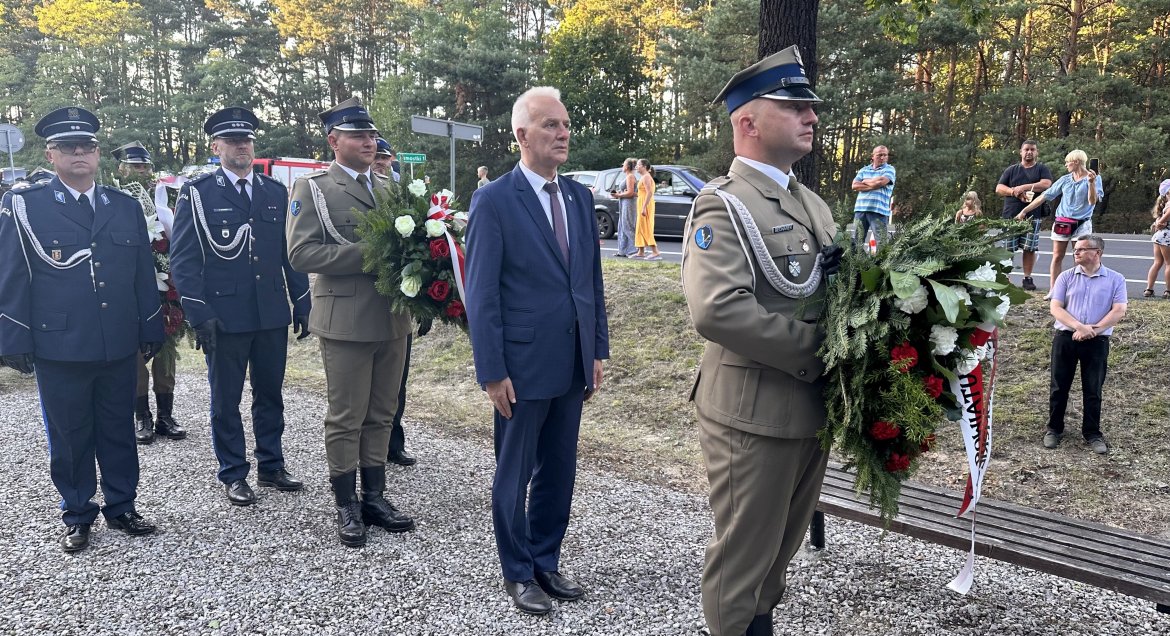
[(363, 344)]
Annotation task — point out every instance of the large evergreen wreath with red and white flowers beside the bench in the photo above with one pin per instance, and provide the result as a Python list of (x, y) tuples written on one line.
[(911, 336)]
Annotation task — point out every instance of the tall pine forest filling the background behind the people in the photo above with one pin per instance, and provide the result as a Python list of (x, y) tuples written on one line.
[(951, 87)]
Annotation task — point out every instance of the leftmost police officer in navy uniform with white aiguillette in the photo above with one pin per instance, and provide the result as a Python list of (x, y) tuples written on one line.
[(78, 305)]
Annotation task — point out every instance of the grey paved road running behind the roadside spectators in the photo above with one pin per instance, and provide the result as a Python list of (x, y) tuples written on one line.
[(1131, 254)]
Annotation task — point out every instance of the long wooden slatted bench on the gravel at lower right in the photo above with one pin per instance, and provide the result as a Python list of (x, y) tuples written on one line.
[(1092, 554)]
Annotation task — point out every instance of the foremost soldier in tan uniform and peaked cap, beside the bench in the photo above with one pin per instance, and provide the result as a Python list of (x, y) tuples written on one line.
[(759, 248)]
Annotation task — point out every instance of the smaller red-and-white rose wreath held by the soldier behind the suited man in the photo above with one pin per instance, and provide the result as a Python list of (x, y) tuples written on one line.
[(415, 247)]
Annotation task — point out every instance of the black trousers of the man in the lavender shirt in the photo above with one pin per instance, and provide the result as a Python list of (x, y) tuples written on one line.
[(1093, 356)]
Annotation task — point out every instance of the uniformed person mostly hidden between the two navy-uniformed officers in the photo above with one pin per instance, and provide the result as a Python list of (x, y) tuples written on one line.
[(135, 164)]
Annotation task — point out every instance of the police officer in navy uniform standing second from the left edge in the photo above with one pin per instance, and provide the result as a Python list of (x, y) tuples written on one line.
[(230, 264)]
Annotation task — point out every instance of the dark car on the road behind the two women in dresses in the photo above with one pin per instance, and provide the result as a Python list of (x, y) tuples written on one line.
[(675, 190)]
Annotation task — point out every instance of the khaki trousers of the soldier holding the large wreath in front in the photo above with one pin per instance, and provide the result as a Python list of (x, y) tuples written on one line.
[(765, 492)]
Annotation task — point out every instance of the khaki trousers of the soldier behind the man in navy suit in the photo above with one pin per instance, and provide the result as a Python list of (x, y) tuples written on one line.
[(363, 383)]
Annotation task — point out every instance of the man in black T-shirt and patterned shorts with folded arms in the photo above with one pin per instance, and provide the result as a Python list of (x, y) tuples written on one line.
[(1020, 185)]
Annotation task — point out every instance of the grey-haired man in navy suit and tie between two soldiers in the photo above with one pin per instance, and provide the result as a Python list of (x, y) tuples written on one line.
[(536, 310)]
